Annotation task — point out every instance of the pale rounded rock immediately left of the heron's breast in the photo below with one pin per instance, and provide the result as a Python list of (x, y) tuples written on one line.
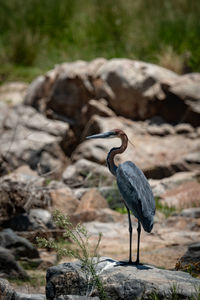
[(86, 173)]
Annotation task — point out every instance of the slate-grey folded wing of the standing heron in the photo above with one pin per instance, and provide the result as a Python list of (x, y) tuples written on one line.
[(135, 190)]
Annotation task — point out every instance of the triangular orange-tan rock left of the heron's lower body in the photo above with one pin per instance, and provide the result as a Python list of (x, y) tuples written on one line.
[(92, 200)]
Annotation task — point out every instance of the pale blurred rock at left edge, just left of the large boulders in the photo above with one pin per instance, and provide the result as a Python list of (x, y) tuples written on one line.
[(13, 93)]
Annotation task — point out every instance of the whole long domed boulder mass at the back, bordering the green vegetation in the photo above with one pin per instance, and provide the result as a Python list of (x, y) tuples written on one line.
[(133, 89)]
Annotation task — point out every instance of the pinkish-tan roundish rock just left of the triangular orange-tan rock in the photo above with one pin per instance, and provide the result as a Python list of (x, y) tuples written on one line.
[(63, 199)]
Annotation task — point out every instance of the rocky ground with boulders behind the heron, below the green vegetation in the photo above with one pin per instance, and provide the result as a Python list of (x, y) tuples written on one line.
[(46, 163)]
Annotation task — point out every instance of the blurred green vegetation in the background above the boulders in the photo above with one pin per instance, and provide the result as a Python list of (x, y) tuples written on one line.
[(36, 34)]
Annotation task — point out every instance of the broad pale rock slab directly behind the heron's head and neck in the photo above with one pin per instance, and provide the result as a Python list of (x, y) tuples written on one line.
[(157, 157)]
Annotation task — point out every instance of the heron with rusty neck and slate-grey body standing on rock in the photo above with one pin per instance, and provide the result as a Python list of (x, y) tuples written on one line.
[(134, 188)]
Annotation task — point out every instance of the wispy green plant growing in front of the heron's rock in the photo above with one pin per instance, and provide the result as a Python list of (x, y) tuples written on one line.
[(79, 249)]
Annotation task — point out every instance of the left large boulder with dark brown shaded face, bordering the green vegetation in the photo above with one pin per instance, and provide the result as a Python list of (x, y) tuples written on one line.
[(64, 90)]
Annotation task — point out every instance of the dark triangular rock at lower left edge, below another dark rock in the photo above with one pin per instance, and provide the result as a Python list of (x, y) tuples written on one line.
[(9, 267)]
